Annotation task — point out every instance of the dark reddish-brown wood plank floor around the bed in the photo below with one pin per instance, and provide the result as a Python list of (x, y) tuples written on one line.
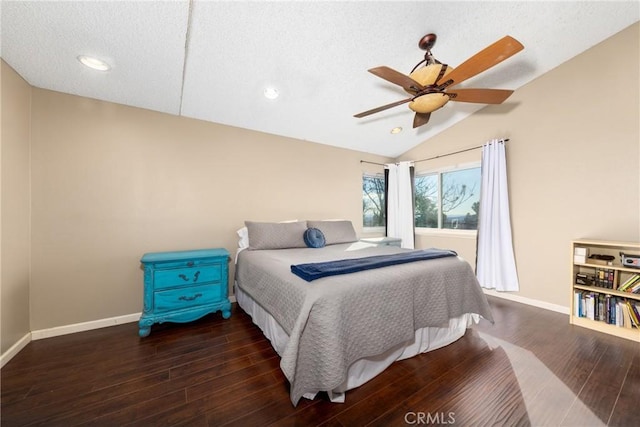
[(530, 368)]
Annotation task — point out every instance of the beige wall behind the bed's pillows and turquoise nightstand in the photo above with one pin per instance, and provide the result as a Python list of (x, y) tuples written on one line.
[(112, 182)]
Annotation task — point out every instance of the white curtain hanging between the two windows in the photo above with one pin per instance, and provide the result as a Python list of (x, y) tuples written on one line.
[(400, 203)]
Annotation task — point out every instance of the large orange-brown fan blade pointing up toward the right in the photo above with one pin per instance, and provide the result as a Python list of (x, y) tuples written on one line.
[(483, 60)]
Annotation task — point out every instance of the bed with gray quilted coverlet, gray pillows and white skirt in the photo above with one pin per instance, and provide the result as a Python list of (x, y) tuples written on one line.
[(337, 332)]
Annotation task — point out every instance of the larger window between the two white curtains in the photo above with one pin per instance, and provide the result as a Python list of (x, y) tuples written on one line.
[(448, 199)]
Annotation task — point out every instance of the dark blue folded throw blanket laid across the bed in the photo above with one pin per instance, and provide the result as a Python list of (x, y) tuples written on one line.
[(316, 270)]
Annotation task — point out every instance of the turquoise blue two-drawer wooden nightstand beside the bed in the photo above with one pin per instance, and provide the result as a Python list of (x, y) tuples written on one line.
[(183, 286)]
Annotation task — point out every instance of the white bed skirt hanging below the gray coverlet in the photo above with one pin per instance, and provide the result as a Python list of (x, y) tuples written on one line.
[(363, 370)]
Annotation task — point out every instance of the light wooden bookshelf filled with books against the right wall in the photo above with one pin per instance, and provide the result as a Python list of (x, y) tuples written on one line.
[(589, 300)]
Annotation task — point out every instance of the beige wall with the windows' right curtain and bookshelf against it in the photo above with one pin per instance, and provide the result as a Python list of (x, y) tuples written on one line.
[(573, 160)]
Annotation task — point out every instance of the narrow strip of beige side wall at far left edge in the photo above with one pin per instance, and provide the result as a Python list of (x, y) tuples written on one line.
[(15, 203)]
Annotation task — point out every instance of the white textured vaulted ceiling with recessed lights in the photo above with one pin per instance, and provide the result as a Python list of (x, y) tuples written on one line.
[(211, 60)]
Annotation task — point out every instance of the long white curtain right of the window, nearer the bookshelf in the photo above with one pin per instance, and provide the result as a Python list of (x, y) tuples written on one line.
[(496, 266)]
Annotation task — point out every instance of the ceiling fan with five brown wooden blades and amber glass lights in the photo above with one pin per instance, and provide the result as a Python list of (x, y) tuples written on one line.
[(430, 85)]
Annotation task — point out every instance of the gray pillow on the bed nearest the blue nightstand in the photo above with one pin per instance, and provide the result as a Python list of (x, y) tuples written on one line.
[(276, 235)]
